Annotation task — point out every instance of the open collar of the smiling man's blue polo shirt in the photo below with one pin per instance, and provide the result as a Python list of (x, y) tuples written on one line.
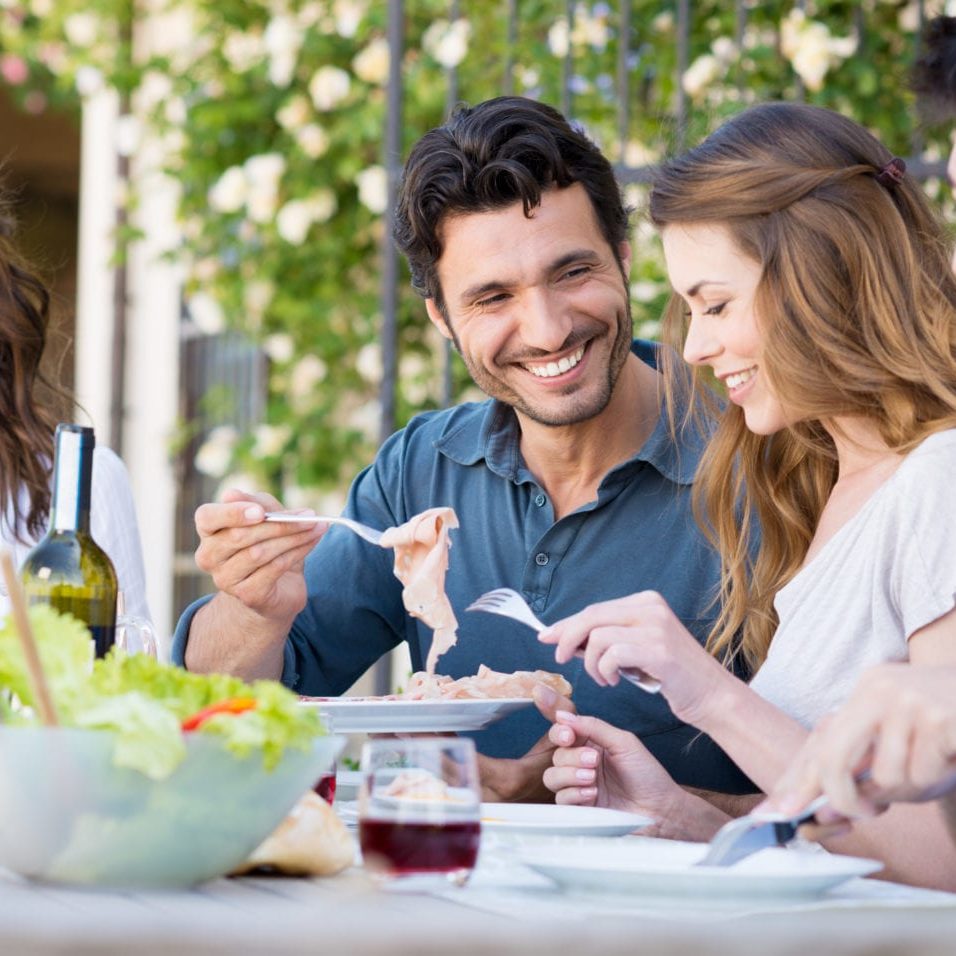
[(492, 434)]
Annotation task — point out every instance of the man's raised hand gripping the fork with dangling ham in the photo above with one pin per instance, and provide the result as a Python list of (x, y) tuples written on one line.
[(256, 562)]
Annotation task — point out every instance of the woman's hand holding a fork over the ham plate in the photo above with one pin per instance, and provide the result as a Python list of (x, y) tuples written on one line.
[(641, 631)]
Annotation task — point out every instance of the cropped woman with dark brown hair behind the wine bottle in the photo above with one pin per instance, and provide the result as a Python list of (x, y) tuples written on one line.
[(27, 424)]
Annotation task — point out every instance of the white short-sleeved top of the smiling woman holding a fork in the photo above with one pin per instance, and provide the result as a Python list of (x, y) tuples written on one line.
[(889, 571)]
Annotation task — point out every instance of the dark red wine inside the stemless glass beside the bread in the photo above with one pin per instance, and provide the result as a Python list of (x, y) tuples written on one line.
[(420, 847)]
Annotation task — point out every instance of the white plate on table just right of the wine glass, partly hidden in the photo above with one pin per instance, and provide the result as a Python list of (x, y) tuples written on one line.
[(549, 819)]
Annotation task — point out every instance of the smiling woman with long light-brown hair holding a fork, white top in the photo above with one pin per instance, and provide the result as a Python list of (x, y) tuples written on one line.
[(812, 280)]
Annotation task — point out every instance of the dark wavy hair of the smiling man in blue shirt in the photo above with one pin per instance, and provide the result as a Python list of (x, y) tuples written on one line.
[(502, 151)]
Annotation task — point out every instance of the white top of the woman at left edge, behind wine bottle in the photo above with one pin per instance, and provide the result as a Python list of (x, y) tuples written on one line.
[(112, 524)]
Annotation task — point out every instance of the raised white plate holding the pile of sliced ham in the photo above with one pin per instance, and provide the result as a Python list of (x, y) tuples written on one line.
[(365, 715)]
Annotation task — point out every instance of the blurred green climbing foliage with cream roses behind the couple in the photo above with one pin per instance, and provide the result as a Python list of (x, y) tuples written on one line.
[(315, 303)]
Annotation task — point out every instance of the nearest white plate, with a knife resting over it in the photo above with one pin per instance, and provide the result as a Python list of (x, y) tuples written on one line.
[(665, 868)]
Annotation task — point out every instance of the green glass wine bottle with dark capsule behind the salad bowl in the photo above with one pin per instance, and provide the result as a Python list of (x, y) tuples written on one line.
[(67, 569)]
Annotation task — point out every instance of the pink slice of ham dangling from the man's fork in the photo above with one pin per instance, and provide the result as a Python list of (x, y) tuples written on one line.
[(421, 561)]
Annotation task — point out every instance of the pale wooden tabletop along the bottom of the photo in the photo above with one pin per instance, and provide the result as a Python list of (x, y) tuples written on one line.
[(347, 915)]
